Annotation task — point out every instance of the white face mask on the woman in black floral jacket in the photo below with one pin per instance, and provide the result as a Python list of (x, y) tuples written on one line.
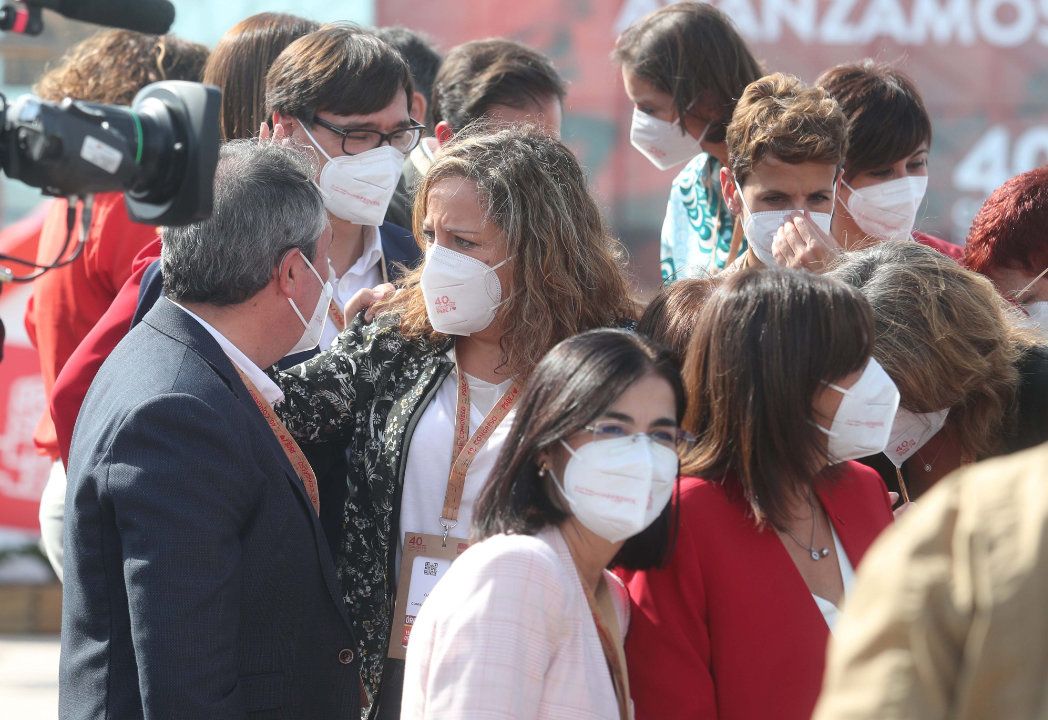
[(462, 293)]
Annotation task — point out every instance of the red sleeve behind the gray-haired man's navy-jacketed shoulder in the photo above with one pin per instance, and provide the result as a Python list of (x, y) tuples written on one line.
[(80, 369)]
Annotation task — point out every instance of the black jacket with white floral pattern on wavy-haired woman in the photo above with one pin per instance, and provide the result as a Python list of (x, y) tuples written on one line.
[(368, 394)]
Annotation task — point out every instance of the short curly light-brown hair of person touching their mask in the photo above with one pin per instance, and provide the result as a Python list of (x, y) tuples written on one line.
[(782, 117)]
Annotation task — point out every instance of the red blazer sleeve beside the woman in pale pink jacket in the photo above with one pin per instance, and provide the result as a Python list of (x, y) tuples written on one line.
[(669, 621)]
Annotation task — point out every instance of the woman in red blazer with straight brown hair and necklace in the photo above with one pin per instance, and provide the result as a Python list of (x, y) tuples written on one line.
[(783, 392)]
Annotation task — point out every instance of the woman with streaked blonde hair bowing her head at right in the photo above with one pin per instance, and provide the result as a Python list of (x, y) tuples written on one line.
[(973, 383)]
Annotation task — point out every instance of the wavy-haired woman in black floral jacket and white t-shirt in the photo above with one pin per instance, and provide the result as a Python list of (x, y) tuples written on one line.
[(518, 258)]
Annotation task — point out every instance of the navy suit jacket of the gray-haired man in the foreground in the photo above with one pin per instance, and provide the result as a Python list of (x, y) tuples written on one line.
[(198, 580)]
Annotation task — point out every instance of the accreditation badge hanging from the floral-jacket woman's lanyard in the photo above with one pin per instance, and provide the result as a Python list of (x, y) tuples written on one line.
[(426, 560)]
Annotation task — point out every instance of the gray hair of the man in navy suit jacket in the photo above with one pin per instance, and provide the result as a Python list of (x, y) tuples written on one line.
[(267, 204)]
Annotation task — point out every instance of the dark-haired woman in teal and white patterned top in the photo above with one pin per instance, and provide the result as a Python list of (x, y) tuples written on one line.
[(685, 68)]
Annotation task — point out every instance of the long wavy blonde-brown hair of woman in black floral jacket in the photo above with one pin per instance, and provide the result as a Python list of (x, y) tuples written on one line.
[(567, 270)]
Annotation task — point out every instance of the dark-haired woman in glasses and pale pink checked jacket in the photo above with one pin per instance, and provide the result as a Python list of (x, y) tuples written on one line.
[(529, 623)]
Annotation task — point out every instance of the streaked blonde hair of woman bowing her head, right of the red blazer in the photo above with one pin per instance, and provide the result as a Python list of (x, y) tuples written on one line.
[(944, 335)]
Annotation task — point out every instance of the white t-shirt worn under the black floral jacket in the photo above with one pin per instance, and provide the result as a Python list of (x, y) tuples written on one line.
[(430, 459)]
